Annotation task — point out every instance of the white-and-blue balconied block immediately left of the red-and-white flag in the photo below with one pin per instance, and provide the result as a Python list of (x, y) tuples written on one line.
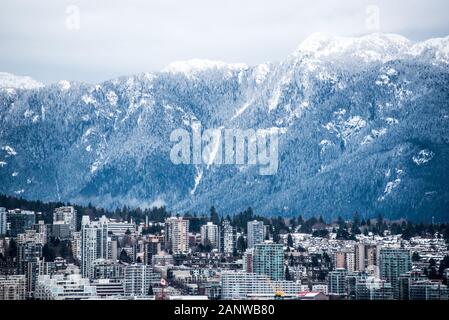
[(138, 278)]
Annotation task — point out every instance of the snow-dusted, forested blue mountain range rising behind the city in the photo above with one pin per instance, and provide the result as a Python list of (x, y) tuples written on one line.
[(364, 122)]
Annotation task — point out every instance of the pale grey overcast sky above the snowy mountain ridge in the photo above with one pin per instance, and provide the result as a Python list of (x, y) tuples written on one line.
[(93, 41)]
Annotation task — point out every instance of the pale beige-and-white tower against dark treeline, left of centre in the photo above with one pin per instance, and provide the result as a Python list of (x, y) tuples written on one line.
[(177, 235)]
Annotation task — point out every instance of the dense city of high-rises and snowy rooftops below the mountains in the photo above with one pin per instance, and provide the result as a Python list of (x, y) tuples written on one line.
[(151, 256)]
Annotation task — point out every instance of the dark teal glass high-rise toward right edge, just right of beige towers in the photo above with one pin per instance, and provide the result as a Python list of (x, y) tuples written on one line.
[(394, 262)]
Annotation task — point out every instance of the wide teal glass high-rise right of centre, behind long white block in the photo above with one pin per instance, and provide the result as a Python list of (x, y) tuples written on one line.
[(269, 260)]
